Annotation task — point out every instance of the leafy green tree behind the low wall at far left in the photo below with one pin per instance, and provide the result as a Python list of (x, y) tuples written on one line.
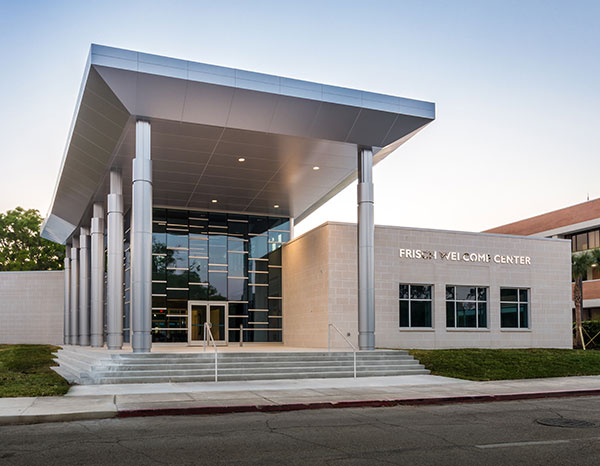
[(22, 247)]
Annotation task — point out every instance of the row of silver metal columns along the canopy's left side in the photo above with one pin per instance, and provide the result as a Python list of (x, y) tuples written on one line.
[(84, 322)]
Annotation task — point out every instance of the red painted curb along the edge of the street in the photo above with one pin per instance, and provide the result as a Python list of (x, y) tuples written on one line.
[(202, 410)]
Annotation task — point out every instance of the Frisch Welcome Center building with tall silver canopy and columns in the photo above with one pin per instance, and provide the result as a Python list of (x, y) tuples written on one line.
[(177, 197)]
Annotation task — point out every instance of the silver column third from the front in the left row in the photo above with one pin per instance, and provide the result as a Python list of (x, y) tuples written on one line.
[(97, 277)]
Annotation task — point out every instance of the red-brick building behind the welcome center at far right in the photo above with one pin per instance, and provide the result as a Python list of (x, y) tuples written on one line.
[(579, 223)]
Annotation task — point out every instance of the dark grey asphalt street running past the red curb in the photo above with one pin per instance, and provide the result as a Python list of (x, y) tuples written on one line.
[(501, 433)]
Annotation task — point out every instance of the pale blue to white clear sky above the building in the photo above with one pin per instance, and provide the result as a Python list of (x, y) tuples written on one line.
[(516, 86)]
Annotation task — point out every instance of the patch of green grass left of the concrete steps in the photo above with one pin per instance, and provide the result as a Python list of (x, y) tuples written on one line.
[(25, 371)]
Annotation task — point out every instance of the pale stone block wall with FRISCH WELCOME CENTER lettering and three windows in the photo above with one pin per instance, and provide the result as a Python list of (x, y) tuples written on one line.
[(542, 266)]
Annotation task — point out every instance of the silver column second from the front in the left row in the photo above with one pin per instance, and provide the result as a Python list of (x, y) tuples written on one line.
[(115, 272)]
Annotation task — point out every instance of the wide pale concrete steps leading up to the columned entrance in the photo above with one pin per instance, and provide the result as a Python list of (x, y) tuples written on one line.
[(82, 366)]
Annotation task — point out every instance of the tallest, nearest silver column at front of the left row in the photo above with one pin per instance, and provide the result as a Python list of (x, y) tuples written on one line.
[(141, 241)]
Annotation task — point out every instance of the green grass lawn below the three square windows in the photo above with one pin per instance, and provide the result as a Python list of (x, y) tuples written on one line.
[(502, 364)]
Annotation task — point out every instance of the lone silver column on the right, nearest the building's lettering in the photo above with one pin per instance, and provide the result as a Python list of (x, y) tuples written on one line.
[(366, 251)]
